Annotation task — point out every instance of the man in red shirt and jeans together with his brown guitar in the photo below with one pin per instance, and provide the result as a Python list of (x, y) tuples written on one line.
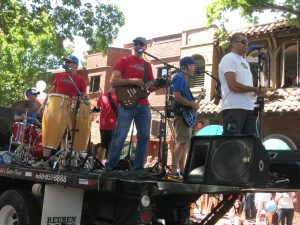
[(132, 71)]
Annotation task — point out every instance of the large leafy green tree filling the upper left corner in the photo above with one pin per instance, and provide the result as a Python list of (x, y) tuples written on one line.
[(32, 36)]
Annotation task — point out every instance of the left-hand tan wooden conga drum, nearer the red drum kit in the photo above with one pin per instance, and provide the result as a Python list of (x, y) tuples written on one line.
[(55, 120)]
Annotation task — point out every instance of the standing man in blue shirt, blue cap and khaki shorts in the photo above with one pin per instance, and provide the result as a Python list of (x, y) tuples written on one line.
[(183, 100)]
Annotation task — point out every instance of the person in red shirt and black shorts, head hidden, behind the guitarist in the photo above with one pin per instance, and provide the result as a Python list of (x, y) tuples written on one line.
[(108, 118)]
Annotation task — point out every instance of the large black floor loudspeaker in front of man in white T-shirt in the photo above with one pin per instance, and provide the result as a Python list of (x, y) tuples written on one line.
[(227, 160)]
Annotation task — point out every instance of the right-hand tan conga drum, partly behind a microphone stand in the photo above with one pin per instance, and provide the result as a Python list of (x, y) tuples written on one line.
[(83, 125)]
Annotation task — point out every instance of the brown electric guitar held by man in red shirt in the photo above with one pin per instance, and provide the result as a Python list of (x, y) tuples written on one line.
[(128, 95)]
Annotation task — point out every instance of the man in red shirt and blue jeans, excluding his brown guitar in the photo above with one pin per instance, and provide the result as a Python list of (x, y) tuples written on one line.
[(130, 70)]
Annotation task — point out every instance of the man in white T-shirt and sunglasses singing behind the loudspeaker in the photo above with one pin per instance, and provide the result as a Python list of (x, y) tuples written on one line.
[(237, 89)]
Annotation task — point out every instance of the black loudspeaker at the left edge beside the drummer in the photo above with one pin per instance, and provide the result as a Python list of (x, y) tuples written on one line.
[(6, 121)]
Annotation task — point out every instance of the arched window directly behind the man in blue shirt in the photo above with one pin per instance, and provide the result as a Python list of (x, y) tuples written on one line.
[(199, 76)]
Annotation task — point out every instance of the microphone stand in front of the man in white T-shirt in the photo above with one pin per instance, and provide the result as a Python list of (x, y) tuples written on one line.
[(259, 99)]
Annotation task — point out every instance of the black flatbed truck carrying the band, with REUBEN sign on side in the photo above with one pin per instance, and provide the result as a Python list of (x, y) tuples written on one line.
[(116, 197)]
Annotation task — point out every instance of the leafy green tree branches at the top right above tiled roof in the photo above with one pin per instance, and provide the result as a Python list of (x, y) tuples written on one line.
[(288, 10)]
